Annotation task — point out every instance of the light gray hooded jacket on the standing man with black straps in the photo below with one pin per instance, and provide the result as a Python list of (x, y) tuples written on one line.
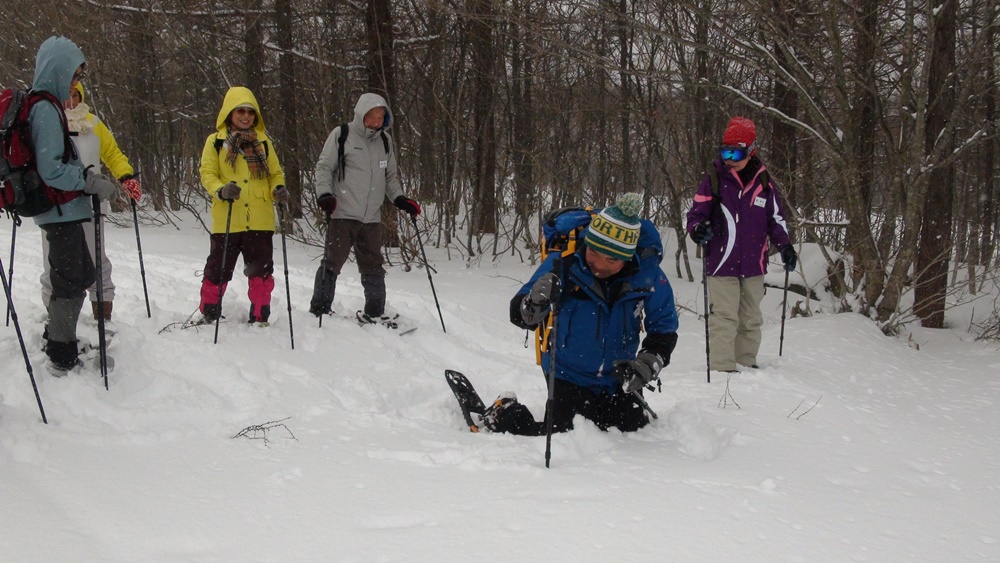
[(369, 173)]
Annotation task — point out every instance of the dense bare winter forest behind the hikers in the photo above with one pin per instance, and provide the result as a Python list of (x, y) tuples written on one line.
[(877, 118)]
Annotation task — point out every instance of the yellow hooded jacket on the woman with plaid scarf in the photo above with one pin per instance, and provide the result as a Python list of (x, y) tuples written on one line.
[(254, 210)]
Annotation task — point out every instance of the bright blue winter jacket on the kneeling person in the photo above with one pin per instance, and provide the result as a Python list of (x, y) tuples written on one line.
[(600, 322)]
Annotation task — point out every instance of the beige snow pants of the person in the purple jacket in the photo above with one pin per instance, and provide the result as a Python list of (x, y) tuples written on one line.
[(735, 321)]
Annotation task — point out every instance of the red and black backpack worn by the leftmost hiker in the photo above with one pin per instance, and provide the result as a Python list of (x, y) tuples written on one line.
[(22, 191)]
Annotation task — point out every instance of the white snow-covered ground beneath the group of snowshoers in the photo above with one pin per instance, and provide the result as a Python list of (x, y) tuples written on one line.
[(851, 446)]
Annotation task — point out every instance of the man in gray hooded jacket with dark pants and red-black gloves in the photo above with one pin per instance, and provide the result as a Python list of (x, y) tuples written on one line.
[(350, 192)]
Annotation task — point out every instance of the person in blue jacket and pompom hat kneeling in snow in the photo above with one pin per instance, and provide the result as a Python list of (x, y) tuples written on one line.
[(605, 293)]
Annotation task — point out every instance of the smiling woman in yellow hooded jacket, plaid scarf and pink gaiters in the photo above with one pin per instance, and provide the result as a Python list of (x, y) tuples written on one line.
[(240, 170)]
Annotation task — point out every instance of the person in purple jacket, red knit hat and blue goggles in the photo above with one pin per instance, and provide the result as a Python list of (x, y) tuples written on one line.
[(735, 227)]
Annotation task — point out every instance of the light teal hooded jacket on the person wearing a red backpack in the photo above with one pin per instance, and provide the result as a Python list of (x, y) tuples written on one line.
[(56, 62)]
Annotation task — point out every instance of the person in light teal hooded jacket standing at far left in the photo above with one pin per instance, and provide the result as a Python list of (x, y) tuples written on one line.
[(59, 65)]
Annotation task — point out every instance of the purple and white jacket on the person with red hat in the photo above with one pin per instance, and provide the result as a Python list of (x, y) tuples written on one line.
[(743, 221)]
